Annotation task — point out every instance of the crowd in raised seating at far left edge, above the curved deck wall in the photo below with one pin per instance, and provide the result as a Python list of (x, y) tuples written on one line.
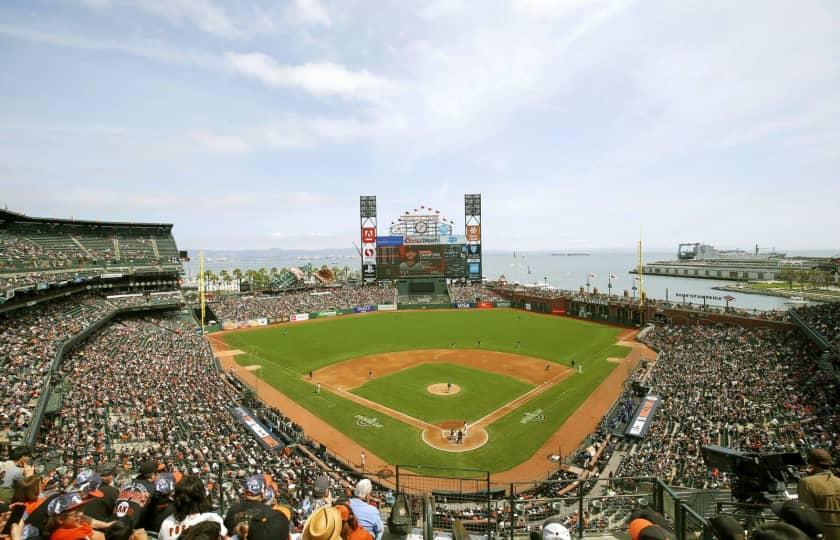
[(29, 340)]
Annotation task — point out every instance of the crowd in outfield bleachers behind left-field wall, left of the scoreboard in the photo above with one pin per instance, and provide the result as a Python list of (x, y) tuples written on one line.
[(281, 306)]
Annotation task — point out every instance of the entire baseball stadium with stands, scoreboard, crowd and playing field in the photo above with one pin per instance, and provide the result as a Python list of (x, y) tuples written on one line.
[(449, 405)]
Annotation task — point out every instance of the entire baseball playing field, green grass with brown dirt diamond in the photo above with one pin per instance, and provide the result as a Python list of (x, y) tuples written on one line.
[(401, 384)]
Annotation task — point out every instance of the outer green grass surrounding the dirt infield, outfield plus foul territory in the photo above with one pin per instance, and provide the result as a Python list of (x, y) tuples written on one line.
[(289, 351)]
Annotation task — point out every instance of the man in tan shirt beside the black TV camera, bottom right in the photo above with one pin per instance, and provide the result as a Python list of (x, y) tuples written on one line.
[(821, 490)]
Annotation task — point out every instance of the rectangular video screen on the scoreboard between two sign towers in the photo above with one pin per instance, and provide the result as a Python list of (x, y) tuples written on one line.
[(422, 260)]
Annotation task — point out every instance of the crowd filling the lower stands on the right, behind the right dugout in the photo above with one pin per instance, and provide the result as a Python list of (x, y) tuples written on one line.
[(747, 389)]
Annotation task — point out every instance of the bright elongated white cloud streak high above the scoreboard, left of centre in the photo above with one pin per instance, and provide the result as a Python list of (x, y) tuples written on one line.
[(318, 78)]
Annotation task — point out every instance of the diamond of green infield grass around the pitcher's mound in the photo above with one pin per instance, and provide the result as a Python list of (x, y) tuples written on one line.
[(405, 391)]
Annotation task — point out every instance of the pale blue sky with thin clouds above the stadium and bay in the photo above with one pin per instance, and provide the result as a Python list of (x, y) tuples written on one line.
[(258, 124)]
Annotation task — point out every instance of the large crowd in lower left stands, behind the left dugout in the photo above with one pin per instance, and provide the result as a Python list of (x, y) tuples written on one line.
[(131, 394)]
